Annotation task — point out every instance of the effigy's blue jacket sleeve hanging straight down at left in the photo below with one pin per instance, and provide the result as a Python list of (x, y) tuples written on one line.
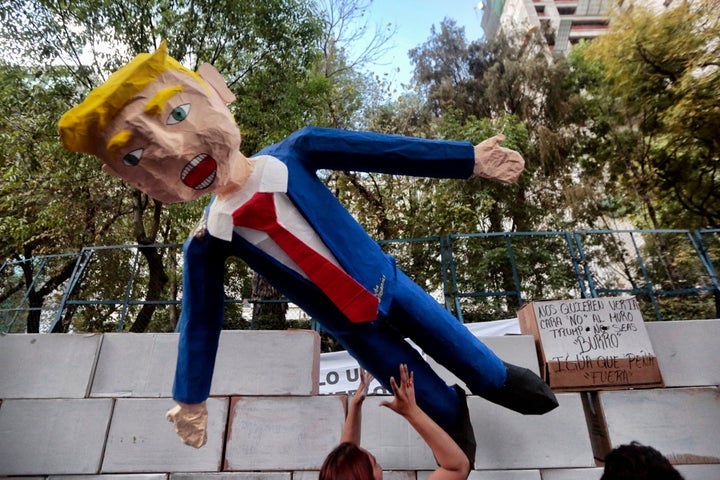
[(201, 317)]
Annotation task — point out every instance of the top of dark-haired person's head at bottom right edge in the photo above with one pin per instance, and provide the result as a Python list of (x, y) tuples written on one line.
[(638, 462)]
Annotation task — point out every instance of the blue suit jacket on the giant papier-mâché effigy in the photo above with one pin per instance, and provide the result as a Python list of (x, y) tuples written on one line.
[(305, 152)]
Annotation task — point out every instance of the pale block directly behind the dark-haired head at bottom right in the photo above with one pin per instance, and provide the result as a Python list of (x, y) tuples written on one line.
[(682, 423)]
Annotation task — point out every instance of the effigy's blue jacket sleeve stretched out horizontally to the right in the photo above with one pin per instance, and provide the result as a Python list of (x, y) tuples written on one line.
[(325, 148)]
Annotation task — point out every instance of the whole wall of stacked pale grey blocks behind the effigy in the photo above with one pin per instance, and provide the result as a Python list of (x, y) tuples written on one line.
[(93, 407)]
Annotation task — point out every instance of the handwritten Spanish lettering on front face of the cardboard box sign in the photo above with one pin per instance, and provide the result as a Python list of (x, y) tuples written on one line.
[(604, 339)]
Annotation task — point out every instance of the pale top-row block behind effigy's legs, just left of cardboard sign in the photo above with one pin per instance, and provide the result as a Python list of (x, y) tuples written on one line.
[(519, 350)]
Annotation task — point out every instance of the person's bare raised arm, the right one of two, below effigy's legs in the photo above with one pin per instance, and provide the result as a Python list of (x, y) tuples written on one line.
[(453, 464)]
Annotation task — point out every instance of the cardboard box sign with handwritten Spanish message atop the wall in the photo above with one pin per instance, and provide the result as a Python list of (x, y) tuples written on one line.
[(592, 344)]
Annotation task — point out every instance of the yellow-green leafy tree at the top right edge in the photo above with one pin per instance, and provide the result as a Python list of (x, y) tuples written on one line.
[(661, 145)]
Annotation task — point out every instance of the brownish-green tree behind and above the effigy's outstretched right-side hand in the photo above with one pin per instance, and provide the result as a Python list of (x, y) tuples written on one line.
[(511, 77)]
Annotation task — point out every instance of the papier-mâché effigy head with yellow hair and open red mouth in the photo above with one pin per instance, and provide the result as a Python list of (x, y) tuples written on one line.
[(164, 129)]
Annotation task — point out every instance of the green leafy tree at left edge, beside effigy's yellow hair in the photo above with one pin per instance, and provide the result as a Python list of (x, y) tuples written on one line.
[(49, 200)]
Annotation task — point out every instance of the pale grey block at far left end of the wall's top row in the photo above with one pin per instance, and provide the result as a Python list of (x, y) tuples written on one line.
[(47, 366)]
